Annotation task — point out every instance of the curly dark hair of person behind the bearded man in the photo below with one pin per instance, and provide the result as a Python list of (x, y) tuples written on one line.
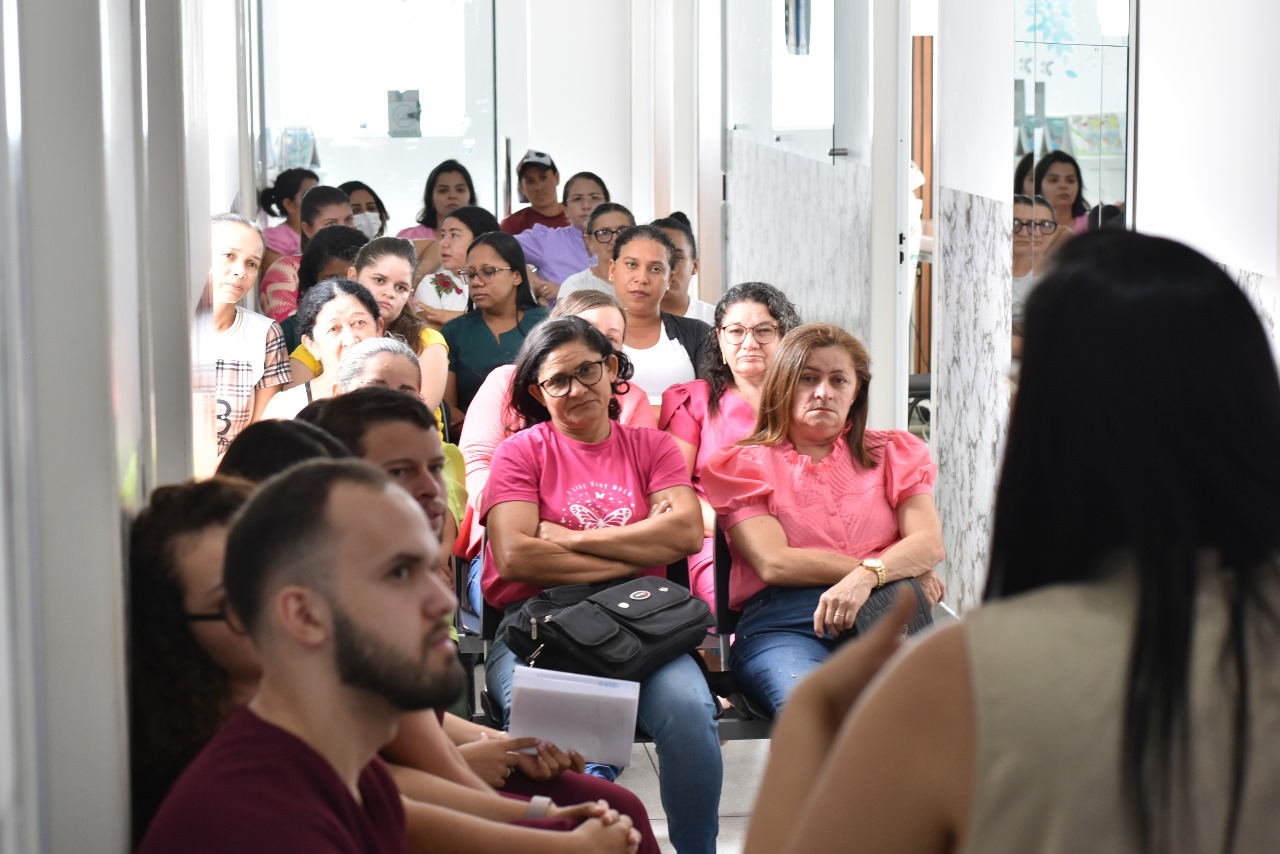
[(179, 697)]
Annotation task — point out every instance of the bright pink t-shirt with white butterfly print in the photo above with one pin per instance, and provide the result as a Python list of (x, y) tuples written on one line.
[(578, 485)]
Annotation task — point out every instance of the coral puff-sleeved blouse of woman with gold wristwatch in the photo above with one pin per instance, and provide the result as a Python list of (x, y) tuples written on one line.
[(835, 505)]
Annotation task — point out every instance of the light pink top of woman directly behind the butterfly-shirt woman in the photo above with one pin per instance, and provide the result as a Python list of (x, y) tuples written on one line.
[(491, 421)]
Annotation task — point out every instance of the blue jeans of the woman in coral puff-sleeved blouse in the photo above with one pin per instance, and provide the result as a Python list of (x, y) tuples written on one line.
[(775, 646)]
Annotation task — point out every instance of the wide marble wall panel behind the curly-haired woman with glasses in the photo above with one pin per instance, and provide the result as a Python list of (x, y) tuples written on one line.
[(803, 226)]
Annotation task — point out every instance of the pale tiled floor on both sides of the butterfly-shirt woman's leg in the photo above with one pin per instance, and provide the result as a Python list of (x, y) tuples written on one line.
[(744, 766)]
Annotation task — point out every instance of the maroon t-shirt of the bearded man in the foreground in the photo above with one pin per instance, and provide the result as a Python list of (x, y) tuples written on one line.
[(257, 788)]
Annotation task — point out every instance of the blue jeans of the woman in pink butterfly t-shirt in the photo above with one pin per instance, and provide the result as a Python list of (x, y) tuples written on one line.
[(678, 711)]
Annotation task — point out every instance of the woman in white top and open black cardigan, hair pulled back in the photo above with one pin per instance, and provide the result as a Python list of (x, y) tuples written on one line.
[(664, 348)]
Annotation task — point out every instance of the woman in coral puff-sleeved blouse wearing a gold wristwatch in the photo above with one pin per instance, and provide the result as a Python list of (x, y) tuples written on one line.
[(821, 515)]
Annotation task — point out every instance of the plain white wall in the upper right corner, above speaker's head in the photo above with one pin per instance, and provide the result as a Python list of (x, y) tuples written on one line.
[(1209, 130)]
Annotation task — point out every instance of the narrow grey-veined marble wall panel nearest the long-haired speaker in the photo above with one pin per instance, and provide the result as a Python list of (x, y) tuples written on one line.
[(971, 391)]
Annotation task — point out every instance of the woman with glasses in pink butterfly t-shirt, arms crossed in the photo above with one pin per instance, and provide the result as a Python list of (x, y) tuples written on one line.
[(577, 499)]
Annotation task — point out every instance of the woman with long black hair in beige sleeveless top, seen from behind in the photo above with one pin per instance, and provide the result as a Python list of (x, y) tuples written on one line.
[(1117, 691)]
